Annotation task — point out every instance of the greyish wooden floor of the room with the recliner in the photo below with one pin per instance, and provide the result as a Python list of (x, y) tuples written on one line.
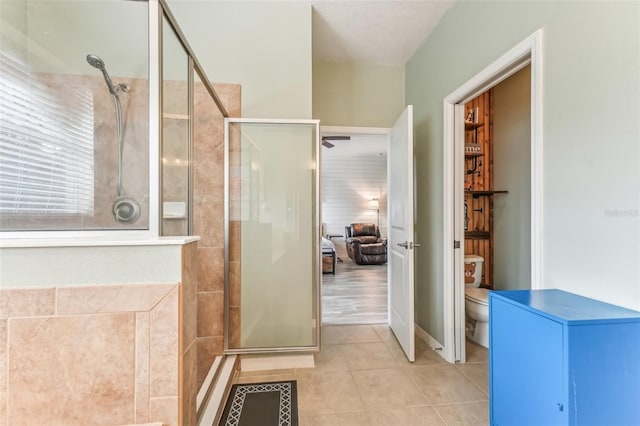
[(356, 294)]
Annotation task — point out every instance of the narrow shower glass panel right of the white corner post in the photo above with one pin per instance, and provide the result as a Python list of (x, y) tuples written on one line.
[(175, 134)]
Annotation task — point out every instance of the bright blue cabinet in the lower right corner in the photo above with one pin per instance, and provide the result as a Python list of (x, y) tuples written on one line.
[(556, 358)]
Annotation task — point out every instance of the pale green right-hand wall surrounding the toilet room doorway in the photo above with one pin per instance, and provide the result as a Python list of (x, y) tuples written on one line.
[(591, 131)]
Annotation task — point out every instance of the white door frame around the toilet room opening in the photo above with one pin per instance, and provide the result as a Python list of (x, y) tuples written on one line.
[(529, 51)]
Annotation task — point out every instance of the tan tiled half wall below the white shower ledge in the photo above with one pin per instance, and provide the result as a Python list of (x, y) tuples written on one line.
[(100, 355)]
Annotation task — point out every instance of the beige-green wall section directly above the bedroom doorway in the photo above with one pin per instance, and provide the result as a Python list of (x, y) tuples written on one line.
[(357, 94)]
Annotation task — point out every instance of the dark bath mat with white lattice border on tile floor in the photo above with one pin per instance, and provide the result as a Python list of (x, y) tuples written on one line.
[(262, 404)]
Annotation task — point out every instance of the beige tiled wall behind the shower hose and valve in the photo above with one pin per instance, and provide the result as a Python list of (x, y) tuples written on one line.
[(135, 177)]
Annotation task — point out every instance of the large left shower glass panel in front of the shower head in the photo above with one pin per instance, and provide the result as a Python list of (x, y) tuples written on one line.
[(74, 114)]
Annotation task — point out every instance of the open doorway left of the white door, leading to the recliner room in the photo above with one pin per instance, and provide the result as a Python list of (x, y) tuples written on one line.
[(353, 190)]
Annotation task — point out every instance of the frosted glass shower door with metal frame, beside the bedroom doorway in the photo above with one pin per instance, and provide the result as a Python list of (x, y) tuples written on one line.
[(273, 235)]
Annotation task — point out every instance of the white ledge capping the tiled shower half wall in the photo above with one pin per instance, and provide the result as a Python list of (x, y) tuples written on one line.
[(95, 242)]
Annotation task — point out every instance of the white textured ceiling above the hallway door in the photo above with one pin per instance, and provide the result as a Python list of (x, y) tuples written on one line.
[(381, 31)]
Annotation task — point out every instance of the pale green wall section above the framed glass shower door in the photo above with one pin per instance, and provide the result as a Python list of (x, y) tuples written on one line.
[(264, 46)]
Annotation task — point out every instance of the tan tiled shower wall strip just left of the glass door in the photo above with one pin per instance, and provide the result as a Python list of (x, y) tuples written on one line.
[(208, 169)]
